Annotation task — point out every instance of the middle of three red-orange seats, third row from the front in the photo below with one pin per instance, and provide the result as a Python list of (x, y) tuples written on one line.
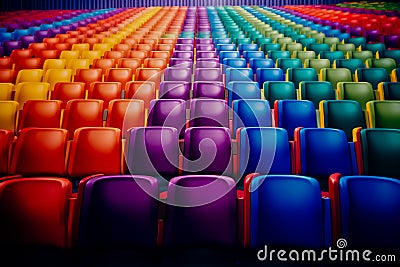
[(82, 113)]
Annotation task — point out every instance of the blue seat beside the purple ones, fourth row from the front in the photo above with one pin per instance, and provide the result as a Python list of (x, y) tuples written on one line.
[(242, 90)]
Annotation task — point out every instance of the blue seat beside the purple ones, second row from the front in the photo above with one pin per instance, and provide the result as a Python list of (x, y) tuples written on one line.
[(263, 150)]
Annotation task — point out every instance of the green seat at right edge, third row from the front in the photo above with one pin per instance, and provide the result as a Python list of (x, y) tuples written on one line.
[(384, 114)]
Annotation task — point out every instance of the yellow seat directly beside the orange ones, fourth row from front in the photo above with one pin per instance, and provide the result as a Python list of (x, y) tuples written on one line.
[(31, 91)]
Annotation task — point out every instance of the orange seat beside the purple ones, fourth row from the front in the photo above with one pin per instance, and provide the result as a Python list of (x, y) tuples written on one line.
[(143, 90)]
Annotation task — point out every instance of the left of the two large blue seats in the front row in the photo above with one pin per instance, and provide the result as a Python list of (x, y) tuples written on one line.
[(286, 211)]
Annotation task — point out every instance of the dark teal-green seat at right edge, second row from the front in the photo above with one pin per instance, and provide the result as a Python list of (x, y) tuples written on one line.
[(380, 151)]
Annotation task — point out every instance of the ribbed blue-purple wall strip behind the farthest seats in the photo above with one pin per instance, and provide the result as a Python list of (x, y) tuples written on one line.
[(6, 5)]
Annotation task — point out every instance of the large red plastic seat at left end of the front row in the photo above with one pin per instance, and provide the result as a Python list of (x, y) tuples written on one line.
[(42, 205)]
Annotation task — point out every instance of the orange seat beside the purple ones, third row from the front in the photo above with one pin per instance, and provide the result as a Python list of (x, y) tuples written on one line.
[(125, 114)]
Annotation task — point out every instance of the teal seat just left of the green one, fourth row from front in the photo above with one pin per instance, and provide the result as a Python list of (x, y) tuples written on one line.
[(316, 91)]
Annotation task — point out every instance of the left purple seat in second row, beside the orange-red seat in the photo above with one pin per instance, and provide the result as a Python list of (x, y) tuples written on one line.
[(153, 151)]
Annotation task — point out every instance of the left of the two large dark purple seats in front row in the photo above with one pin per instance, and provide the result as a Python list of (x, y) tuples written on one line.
[(118, 210)]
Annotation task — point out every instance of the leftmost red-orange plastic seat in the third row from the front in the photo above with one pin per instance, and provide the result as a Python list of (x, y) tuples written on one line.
[(40, 114)]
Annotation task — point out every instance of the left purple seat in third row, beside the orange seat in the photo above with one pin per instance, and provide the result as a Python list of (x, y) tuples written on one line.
[(168, 113)]
